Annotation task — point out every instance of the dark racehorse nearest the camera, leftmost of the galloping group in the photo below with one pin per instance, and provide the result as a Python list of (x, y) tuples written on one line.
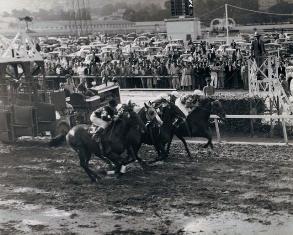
[(116, 139)]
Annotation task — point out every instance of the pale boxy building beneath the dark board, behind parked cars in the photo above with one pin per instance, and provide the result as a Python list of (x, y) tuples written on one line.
[(183, 28)]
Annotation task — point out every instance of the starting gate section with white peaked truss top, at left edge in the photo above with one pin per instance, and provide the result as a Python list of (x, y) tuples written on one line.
[(24, 106)]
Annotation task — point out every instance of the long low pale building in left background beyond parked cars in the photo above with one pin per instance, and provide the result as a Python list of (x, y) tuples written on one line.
[(66, 28)]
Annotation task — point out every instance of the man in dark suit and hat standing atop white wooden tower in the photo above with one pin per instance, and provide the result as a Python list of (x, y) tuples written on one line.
[(258, 50)]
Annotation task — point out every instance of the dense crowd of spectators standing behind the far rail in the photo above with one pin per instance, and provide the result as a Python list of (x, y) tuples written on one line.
[(174, 69)]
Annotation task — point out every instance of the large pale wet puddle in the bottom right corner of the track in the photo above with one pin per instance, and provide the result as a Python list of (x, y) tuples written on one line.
[(235, 223)]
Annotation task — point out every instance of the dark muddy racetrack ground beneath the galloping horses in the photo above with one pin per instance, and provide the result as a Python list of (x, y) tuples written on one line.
[(237, 189)]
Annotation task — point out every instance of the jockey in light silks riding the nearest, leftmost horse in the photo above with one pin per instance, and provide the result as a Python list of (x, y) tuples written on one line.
[(102, 118)]
